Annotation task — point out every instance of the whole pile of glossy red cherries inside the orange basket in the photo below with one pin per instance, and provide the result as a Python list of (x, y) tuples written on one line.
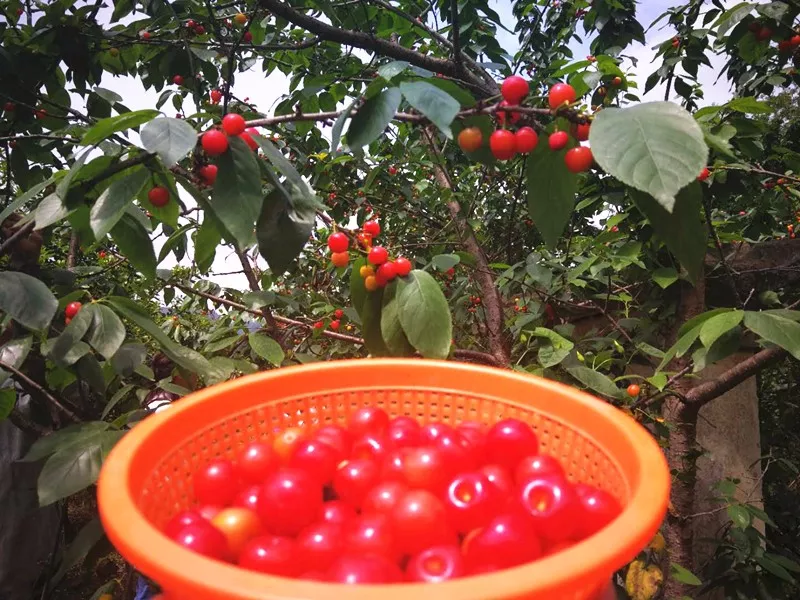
[(387, 501)]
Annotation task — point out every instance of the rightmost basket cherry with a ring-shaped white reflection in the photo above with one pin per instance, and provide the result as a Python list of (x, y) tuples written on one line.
[(551, 504)]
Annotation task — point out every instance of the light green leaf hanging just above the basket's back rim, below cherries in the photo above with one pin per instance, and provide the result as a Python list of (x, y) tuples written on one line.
[(425, 315)]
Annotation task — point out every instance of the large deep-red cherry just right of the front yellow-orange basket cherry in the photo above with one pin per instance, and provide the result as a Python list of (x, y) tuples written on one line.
[(290, 501)]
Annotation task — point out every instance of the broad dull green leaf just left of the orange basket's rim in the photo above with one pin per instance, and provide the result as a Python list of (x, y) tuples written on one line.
[(74, 468)]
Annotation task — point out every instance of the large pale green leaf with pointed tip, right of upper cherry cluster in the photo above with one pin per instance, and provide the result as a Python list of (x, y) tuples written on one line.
[(655, 147)]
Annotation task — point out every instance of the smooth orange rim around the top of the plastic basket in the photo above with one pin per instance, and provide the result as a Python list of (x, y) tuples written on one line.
[(591, 560)]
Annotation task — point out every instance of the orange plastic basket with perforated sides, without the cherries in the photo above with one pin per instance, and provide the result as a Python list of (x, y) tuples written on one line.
[(147, 477)]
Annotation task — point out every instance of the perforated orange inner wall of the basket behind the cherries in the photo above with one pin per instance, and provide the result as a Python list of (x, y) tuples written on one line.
[(167, 488)]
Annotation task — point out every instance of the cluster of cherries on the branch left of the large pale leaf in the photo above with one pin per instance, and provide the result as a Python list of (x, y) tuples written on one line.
[(506, 144)]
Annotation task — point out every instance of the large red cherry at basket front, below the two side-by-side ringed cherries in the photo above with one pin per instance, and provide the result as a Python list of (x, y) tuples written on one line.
[(507, 541)]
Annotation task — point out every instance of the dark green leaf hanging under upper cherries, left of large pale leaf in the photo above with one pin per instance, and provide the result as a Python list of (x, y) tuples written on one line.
[(551, 190)]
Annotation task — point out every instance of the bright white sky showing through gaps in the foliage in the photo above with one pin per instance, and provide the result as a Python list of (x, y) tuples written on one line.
[(264, 92)]
